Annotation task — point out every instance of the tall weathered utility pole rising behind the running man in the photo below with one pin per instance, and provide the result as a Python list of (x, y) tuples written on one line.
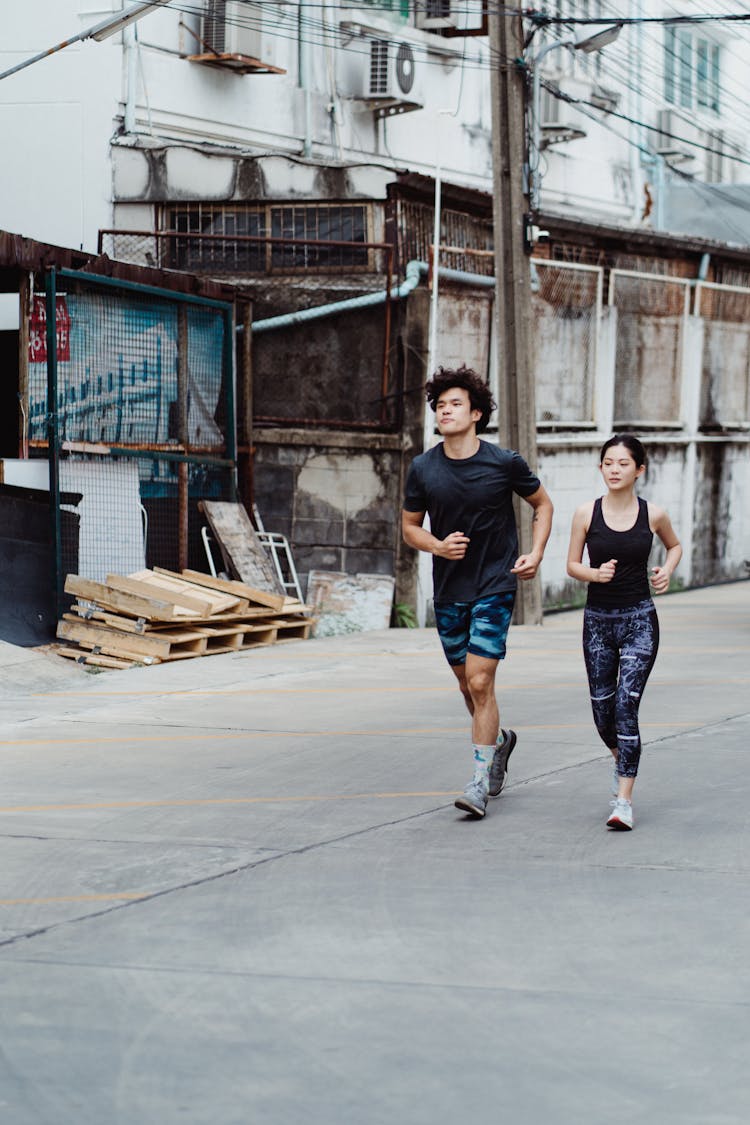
[(517, 399)]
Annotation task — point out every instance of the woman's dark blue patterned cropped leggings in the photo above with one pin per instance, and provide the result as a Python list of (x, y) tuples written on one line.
[(620, 647)]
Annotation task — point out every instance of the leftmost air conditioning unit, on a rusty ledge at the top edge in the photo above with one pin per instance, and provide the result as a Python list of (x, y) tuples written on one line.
[(232, 31)]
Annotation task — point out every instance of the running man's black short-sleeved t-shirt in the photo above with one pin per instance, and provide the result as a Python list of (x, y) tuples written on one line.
[(473, 496)]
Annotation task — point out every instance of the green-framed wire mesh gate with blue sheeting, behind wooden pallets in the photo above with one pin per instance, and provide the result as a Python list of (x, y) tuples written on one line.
[(131, 399)]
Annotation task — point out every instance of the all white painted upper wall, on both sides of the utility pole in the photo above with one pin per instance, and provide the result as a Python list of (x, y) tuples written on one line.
[(58, 118)]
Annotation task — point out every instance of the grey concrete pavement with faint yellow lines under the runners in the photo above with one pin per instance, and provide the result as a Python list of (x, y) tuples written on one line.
[(237, 890)]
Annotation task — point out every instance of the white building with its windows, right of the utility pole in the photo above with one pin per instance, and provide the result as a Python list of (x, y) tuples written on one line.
[(666, 103)]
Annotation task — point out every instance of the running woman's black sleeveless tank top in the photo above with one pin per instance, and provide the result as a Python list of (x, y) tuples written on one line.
[(631, 548)]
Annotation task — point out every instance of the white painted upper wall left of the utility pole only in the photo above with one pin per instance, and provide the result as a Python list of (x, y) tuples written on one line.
[(59, 116)]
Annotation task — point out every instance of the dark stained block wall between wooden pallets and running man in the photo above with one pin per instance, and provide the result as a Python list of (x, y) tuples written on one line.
[(337, 494)]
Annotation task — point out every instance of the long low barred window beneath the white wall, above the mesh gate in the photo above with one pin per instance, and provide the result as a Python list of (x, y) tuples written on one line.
[(291, 238)]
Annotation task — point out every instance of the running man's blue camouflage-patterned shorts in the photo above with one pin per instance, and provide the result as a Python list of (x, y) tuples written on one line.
[(478, 627)]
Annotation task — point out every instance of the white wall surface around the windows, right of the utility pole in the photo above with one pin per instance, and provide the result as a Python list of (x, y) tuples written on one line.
[(604, 175)]
